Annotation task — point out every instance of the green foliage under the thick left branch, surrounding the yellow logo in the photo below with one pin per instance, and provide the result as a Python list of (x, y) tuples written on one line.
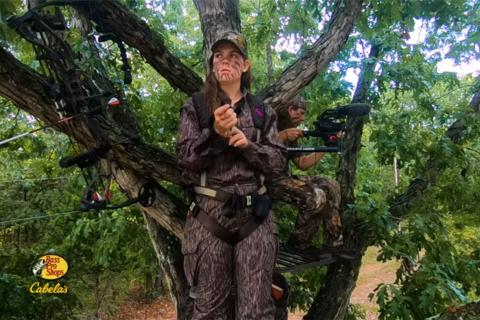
[(107, 252)]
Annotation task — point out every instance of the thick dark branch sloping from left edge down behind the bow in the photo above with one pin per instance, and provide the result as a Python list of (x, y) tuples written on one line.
[(28, 90)]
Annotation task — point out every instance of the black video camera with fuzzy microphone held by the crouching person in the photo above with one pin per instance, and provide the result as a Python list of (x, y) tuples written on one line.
[(329, 124)]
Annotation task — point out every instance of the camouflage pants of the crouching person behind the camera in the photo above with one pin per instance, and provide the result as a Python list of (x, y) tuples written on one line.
[(317, 198)]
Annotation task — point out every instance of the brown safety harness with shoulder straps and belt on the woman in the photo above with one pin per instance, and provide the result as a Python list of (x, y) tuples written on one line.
[(259, 201)]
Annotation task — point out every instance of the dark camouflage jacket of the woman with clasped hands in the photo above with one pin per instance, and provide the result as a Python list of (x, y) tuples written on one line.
[(229, 168)]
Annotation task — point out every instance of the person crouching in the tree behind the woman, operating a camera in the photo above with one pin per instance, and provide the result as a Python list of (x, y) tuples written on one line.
[(318, 198)]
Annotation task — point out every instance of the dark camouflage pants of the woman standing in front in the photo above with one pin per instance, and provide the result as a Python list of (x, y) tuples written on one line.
[(211, 266)]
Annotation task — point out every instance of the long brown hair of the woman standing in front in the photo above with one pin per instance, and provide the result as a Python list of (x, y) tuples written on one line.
[(214, 94)]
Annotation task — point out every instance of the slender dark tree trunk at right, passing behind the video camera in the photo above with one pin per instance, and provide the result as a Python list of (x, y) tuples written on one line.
[(333, 299)]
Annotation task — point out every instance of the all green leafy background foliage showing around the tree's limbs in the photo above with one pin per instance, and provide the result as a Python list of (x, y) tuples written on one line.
[(413, 106)]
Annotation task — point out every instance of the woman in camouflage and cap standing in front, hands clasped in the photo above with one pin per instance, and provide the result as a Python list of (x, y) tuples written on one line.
[(229, 235)]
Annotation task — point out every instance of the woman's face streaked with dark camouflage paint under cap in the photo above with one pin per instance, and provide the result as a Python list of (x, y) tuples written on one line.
[(229, 64)]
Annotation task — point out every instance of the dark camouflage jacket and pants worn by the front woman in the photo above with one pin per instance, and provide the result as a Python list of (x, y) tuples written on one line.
[(211, 265)]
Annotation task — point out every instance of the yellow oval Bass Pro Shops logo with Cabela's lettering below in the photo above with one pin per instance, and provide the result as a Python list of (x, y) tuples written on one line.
[(49, 267)]
